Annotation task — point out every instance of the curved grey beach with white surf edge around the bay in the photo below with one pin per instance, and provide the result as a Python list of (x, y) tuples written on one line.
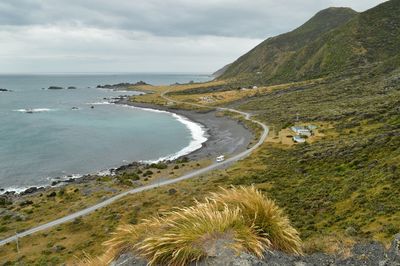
[(220, 135)]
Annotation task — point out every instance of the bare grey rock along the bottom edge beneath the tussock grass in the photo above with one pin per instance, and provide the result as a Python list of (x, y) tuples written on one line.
[(373, 253)]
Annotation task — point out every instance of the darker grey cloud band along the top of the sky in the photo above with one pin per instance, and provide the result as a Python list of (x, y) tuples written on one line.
[(241, 18)]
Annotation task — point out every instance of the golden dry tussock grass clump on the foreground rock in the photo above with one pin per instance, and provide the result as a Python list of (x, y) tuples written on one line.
[(242, 216)]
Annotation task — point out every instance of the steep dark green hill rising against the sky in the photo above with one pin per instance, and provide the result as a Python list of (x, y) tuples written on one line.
[(333, 41)]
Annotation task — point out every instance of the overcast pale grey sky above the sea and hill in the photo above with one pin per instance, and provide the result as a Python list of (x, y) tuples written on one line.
[(172, 36)]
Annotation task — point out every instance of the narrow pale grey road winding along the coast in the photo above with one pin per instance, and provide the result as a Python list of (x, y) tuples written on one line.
[(198, 172)]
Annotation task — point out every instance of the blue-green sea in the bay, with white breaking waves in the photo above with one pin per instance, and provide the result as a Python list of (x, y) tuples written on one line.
[(52, 134)]
